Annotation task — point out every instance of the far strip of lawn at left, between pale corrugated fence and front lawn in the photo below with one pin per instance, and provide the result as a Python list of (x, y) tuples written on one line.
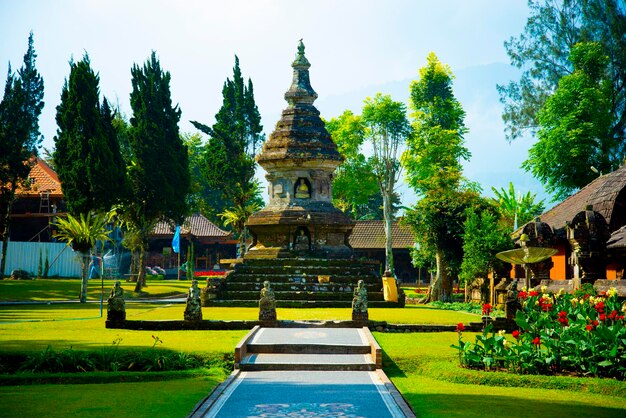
[(69, 289)]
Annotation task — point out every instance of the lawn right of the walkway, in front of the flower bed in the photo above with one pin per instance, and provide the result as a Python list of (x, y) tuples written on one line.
[(426, 372)]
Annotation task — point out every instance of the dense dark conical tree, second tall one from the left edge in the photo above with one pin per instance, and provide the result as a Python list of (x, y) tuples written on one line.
[(87, 155)]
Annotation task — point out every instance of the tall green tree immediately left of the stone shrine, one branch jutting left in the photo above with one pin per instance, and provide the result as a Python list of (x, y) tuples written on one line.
[(233, 142)]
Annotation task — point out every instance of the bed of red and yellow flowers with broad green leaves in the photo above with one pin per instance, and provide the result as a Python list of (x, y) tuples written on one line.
[(558, 334)]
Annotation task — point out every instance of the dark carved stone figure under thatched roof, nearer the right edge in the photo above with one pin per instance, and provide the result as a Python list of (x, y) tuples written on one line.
[(587, 234)]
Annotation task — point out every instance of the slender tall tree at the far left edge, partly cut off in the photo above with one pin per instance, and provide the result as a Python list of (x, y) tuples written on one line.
[(20, 108)]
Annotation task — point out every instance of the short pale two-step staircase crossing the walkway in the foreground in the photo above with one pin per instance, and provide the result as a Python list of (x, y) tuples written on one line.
[(315, 349)]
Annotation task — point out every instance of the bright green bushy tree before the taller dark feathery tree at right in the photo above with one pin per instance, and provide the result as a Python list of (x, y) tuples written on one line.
[(575, 124)]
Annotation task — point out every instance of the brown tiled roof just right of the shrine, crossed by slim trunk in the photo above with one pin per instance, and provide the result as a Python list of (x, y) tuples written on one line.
[(371, 234)]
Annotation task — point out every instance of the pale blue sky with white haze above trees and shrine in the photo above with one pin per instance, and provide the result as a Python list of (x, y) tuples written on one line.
[(356, 48)]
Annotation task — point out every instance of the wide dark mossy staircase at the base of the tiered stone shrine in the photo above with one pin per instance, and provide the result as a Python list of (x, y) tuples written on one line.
[(296, 283)]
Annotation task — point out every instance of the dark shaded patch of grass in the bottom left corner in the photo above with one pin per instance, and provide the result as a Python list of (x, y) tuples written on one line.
[(171, 398)]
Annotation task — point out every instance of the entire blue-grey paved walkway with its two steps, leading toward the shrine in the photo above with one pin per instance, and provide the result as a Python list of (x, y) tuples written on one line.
[(278, 389)]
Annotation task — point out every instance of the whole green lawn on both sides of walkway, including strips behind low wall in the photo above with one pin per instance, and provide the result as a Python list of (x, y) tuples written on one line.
[(422, 365)]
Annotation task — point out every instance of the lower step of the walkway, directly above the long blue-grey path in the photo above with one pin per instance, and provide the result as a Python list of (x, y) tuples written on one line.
[(272, 361)]
